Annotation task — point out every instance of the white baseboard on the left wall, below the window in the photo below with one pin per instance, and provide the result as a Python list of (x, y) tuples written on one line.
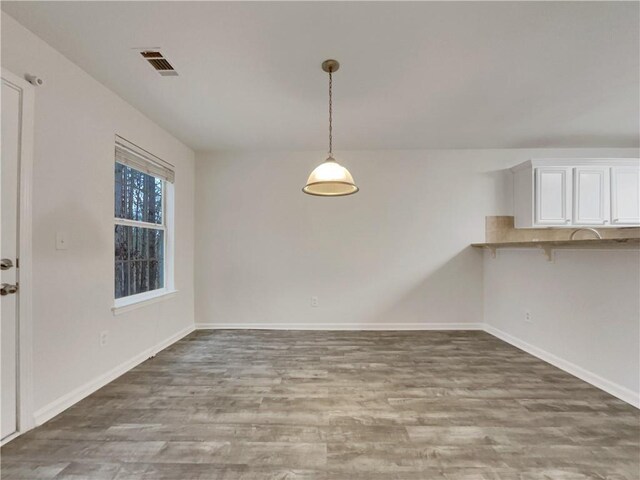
[(61, 404)]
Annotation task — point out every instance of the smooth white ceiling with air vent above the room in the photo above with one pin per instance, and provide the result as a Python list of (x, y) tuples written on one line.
[(414, 74)]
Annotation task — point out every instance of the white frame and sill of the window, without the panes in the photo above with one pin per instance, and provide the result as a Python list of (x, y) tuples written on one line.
[(131, 302)]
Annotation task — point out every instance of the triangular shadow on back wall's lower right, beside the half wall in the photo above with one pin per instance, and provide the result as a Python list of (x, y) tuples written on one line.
[(452, 293)]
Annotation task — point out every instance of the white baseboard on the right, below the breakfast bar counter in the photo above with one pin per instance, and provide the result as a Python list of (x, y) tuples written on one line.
[(623, 393)]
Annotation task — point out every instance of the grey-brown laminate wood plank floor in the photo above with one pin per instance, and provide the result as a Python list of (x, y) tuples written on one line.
[(266, 405)]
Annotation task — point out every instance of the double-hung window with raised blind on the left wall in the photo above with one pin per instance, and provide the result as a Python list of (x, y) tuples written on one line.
[(142, 237)]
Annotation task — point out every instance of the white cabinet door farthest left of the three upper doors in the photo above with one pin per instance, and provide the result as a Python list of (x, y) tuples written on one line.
[(552, 197)]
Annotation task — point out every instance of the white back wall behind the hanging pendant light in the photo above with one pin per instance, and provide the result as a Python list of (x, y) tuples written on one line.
[(396, 255)]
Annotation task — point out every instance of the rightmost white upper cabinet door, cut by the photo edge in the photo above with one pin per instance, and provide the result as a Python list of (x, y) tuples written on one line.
[(625, 195)]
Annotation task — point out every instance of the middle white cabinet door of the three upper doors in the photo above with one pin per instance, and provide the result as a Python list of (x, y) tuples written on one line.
[(591, 196)]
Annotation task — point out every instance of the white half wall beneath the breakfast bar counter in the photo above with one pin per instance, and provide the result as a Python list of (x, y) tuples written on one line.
[(585, 311)]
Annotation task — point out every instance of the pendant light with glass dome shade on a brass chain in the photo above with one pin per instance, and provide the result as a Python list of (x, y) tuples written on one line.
[(330, 179)]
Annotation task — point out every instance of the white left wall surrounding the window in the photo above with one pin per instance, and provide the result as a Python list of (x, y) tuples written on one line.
[(76, 119)]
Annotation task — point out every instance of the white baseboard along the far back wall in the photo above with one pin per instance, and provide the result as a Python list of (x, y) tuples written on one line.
[(339, 326)]
